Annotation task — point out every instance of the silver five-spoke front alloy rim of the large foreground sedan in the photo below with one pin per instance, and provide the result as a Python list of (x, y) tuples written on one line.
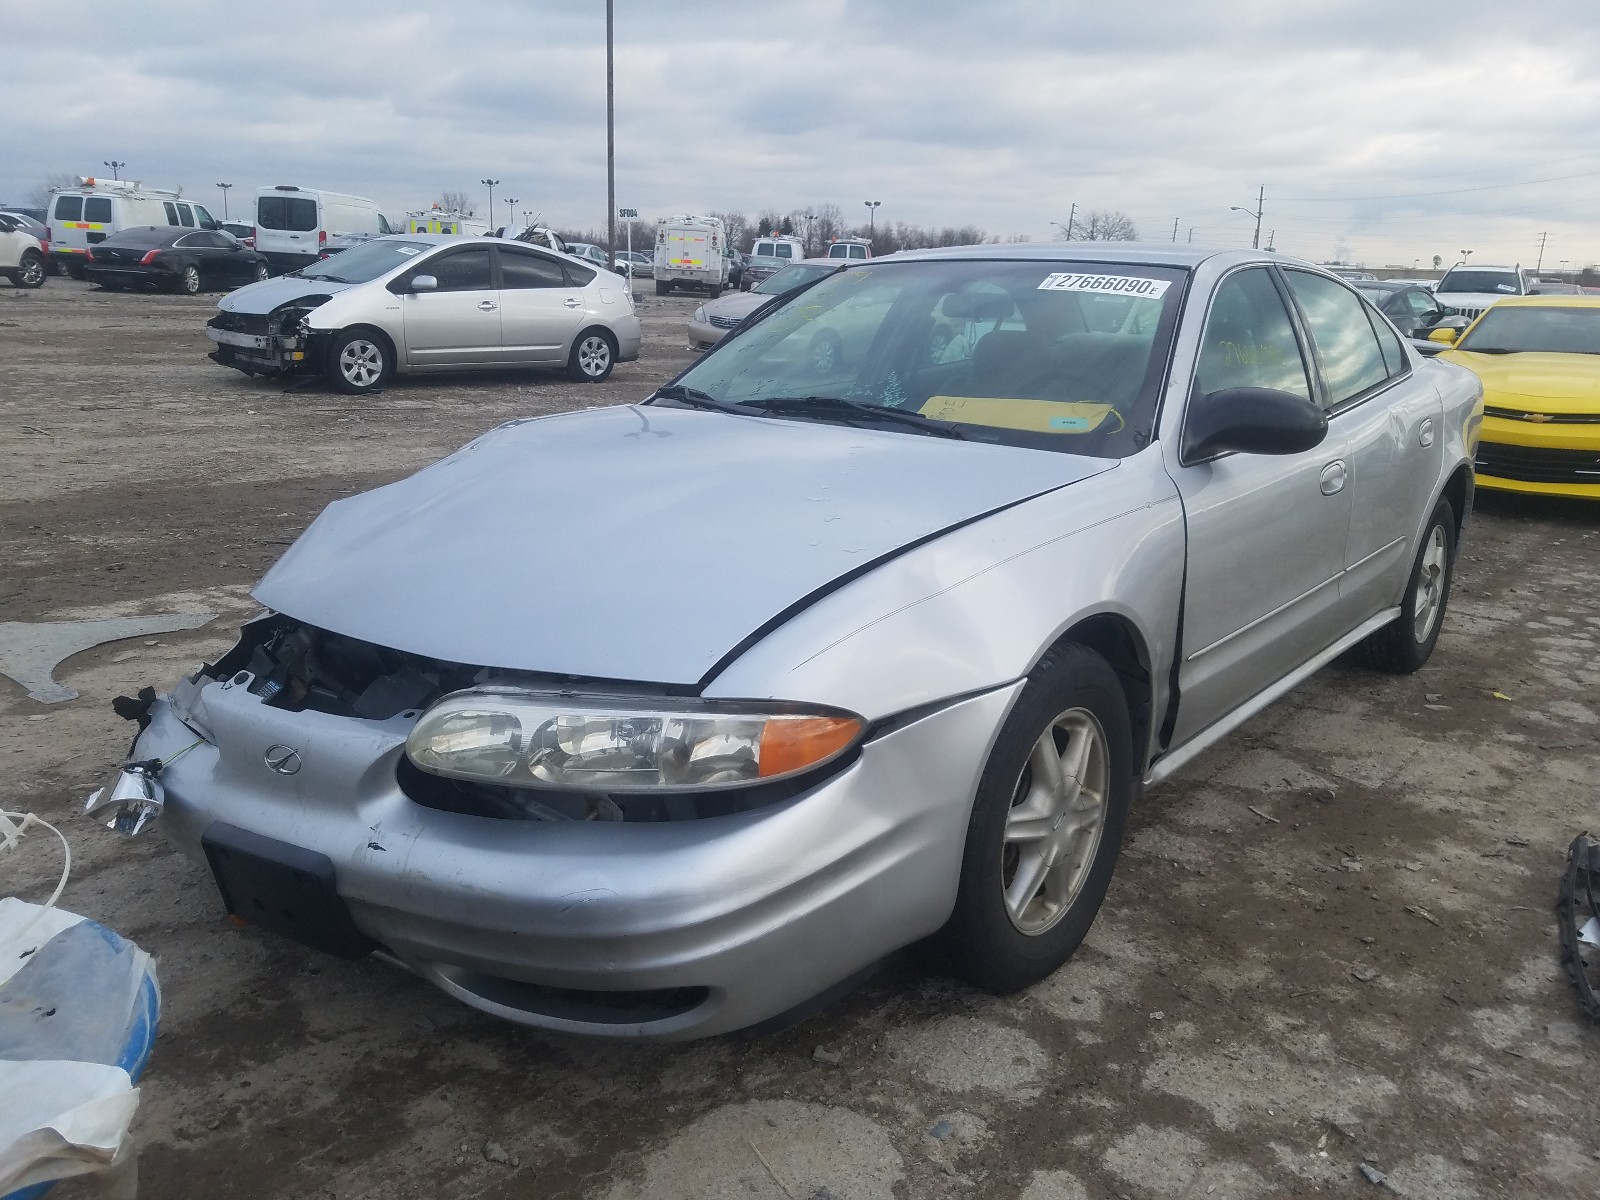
[(1058, 815)]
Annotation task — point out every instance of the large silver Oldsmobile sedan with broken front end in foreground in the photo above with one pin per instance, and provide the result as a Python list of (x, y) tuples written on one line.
[(670, 719)]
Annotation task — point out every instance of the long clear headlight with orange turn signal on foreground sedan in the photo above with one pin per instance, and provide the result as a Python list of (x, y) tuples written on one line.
[(524, 740)]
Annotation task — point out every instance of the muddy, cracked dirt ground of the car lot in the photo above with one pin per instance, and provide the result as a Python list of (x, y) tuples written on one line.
[(1330, 942)]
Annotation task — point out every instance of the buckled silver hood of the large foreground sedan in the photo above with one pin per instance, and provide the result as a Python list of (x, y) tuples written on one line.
[(636, 543)]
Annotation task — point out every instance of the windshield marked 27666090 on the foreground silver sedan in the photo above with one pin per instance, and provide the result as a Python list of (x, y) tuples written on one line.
[(1055, 356)]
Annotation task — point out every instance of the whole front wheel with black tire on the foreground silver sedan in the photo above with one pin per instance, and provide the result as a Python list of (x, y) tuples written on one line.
[(1047, 826)]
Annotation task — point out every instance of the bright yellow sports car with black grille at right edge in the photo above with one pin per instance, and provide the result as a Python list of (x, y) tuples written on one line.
[(1540, 364)]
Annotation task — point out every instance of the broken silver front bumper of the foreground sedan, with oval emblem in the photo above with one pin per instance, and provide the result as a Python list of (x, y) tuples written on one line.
[(663, 929)]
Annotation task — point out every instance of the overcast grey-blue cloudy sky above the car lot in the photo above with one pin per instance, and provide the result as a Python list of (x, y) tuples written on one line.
[(1382, 132)]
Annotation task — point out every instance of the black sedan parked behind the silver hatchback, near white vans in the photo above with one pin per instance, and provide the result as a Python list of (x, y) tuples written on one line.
[(177, 258)]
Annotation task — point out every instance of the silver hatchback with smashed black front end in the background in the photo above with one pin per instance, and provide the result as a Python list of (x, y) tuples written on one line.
[(430, 303)]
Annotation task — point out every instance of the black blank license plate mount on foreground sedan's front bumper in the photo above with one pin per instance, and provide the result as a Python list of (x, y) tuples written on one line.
[(284, 890)]
